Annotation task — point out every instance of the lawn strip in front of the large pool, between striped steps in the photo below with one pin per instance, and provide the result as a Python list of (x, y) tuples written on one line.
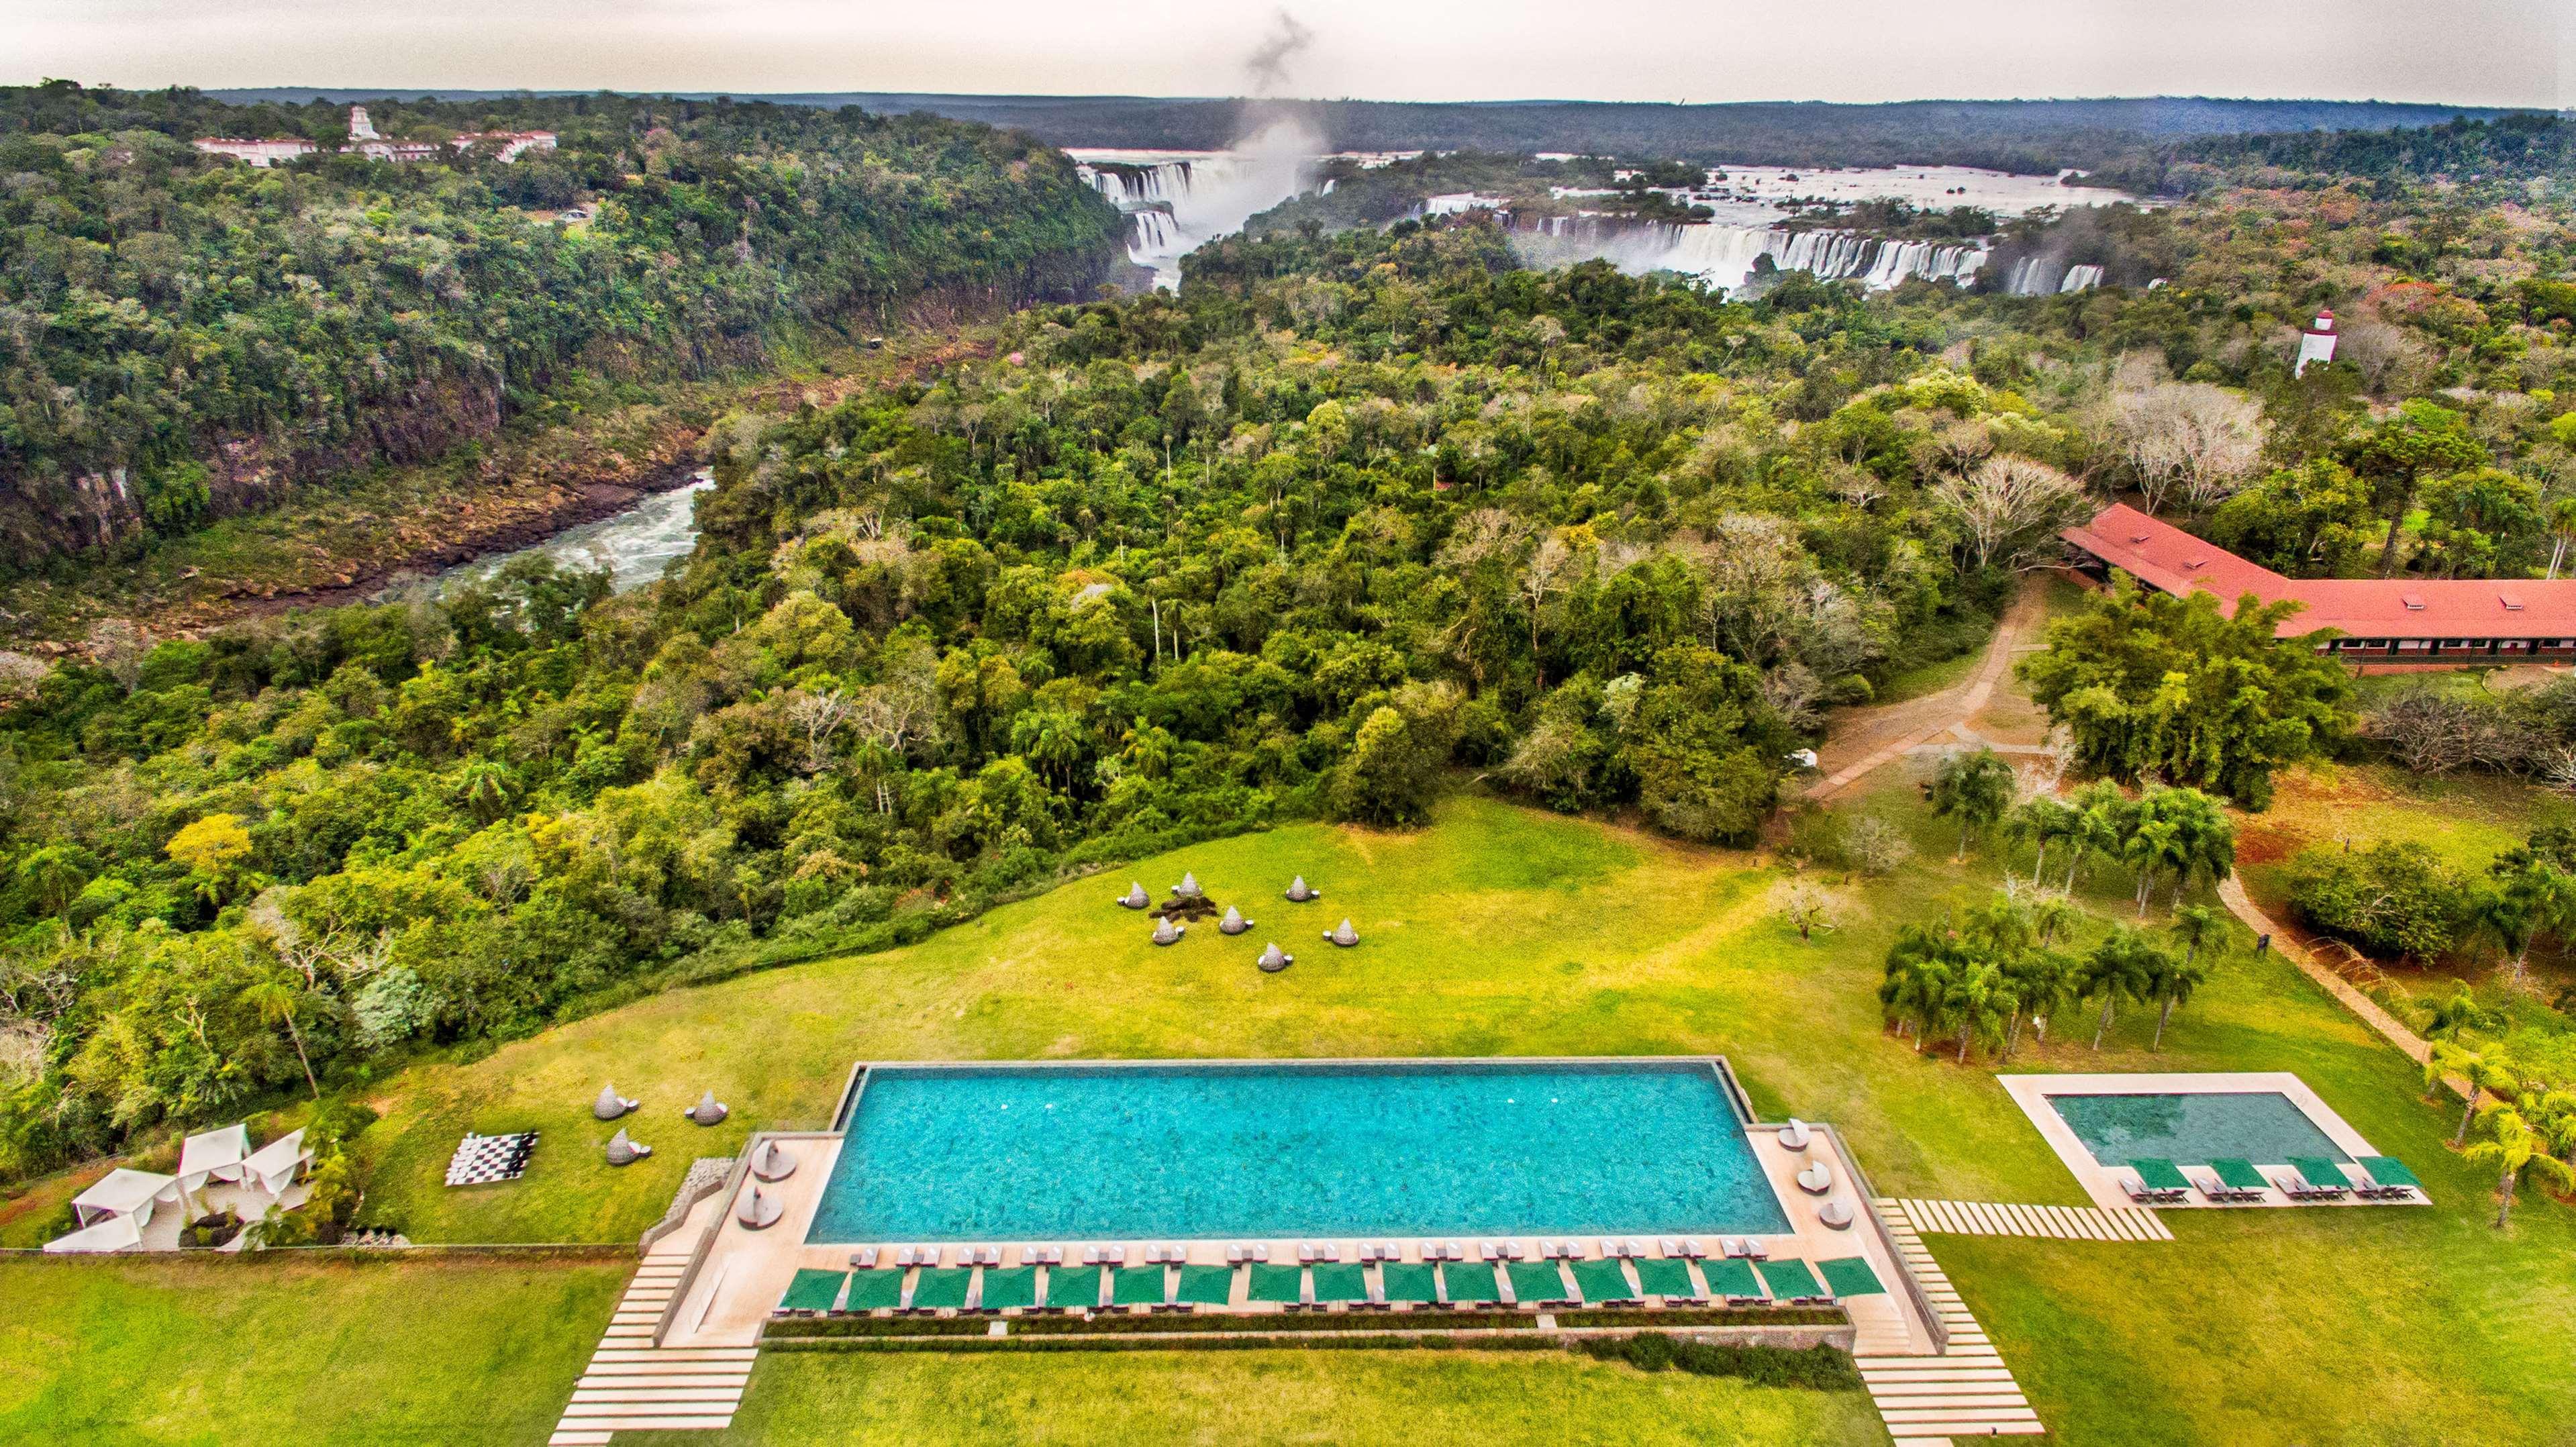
[(1269, 1397)]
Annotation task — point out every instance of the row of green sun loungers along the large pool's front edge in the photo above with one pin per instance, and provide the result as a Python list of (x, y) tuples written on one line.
[(1176, 1286)]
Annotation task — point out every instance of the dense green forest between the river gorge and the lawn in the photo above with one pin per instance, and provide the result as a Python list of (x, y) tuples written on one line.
[(1349, 516)]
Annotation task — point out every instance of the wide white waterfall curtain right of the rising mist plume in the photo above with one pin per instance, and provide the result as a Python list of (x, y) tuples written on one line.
[(1725, 256)]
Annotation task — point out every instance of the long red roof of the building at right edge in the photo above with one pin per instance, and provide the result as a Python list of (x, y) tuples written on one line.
[(2170, 560)]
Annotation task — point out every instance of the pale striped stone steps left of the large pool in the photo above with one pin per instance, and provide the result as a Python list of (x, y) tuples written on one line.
[(635, 1386)]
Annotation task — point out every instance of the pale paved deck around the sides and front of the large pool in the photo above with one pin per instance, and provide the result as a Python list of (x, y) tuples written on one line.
[(743, 1273)]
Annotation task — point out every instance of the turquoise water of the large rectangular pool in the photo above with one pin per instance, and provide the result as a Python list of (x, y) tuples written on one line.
[(1197, 1152)]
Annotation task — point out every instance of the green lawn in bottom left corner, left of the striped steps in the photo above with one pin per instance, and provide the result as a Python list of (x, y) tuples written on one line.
[(231, 1353)]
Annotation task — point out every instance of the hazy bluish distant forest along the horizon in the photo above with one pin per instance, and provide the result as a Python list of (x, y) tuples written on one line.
[(2003, 135)]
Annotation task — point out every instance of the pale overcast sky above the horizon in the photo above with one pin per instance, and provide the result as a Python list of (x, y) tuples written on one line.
[(2472, 53)]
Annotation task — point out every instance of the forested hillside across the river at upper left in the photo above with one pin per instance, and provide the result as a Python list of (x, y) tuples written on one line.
[(197, 333)]
